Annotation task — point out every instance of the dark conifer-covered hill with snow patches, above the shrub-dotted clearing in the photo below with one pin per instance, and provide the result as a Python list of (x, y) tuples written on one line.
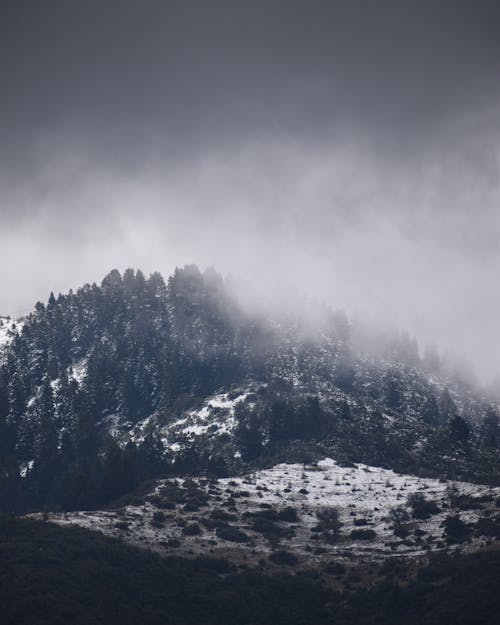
[(94, 385)]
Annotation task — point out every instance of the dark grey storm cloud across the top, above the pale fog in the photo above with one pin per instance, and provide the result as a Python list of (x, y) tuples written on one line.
[(184, 73)]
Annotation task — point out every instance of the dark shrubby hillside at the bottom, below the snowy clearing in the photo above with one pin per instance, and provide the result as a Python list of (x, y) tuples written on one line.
[(52, 575)]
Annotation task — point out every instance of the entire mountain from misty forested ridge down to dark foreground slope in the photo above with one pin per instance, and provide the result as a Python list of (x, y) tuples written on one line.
[(226, 453)]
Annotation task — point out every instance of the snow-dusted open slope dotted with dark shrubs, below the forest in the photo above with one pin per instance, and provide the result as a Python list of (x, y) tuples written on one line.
[(293, 499)]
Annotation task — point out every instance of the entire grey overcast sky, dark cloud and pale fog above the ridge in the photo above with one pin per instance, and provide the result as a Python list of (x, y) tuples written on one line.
[(350, 148)]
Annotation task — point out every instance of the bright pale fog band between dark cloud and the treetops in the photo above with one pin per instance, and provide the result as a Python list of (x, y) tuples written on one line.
[(375, 237)]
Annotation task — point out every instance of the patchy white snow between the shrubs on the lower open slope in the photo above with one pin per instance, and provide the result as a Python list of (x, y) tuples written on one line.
[(362, 495)]
